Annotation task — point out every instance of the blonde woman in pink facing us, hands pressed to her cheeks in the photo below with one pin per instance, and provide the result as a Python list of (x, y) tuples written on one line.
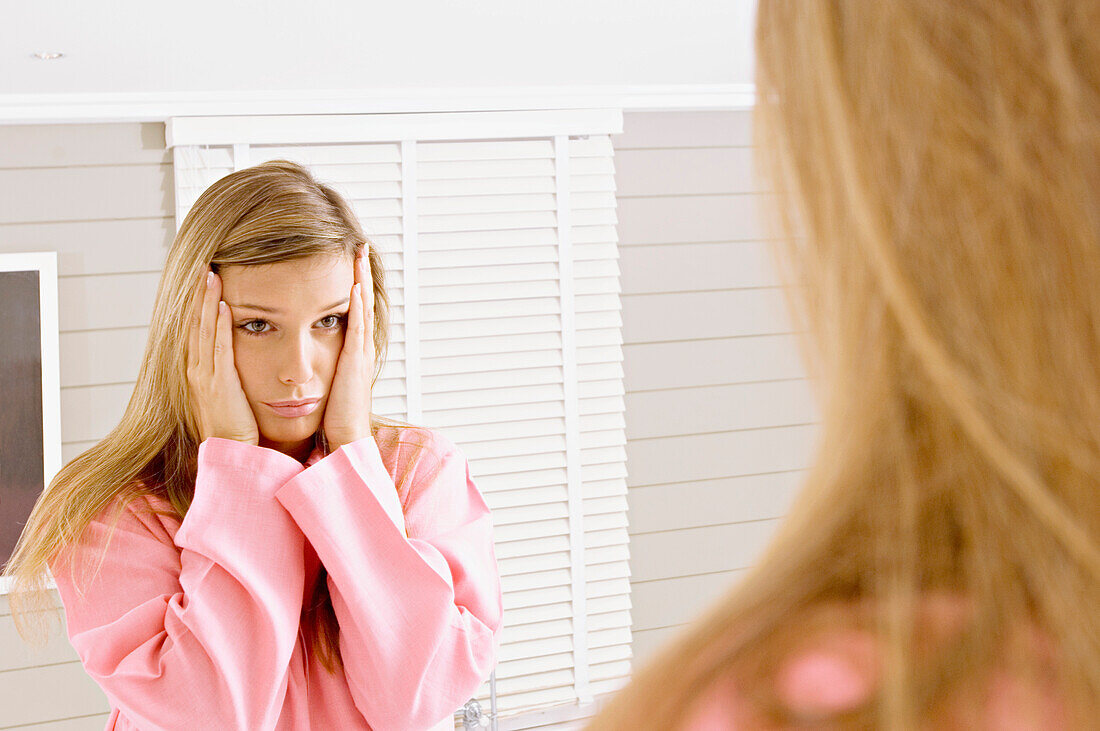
[(268, 552)]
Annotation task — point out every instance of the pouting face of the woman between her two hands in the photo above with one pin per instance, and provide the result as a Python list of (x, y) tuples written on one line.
[(289, 327)]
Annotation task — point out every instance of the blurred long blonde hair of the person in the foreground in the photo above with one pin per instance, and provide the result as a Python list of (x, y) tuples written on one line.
[(939, 169)]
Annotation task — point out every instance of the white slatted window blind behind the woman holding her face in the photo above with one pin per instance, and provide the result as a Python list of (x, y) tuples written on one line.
[(499, 235)]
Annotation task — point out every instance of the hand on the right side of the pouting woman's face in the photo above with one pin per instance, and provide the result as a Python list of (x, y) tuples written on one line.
[(348, 412)]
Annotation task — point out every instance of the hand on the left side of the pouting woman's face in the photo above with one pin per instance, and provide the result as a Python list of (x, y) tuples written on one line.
[(218, 400)]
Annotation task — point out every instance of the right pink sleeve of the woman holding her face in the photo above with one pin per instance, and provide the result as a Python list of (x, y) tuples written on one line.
[(420, 616)]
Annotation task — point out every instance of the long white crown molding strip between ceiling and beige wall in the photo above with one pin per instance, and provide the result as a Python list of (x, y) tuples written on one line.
[(159, 107)]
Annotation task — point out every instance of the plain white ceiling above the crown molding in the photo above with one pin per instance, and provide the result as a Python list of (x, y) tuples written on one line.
[(208, 47)]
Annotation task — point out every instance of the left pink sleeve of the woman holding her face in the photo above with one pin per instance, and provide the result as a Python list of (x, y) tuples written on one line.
[(196, 633)]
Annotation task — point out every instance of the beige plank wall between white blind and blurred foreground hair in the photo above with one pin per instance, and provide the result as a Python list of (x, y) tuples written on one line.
[(720, 420)]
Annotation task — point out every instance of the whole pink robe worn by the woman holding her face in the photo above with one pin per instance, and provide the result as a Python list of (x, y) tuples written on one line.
[(196, 625)]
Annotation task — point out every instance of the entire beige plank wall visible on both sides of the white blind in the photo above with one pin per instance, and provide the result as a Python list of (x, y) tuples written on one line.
[(719, 416)]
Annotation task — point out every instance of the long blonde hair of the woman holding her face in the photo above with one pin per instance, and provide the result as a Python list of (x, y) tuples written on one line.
[(272, 213)]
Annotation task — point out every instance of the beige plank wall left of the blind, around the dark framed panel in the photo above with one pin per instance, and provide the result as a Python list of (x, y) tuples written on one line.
[(101, 196)]
